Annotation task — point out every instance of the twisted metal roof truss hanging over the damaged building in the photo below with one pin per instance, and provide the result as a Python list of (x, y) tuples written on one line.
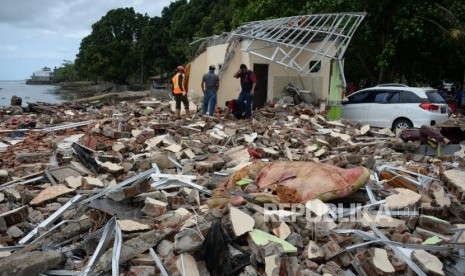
[(299, 42)]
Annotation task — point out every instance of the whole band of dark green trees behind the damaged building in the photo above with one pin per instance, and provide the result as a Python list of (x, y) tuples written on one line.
[(411, 40)]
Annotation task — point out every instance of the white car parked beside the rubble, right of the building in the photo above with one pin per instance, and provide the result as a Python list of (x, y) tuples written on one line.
[(396, 107)]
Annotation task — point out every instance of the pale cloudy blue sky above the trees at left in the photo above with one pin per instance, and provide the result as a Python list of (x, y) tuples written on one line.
[(43, 33)]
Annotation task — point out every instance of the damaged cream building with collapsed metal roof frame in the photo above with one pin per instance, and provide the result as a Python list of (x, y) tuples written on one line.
[(305, 51)]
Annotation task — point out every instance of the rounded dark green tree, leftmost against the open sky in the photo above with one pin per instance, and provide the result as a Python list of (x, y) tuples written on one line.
[(112, 51)]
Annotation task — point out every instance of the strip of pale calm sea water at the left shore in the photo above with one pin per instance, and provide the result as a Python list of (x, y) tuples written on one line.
[(29, 93)]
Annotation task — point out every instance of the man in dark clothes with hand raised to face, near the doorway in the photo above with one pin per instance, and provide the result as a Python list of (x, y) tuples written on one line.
[(248, 83)]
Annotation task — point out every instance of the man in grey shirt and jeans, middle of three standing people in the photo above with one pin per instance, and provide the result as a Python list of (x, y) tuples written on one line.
[(210, 84)]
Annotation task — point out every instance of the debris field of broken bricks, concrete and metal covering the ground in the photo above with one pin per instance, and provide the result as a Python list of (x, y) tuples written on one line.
[(125, 189)]
